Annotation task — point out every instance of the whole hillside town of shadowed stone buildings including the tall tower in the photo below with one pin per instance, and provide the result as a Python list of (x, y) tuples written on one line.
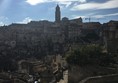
[(36, 51)]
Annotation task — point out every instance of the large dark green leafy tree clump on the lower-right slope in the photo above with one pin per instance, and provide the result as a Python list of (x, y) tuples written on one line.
[(89, 54)]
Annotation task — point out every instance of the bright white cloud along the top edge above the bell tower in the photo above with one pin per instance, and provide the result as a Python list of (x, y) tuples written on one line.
[(66, 2)]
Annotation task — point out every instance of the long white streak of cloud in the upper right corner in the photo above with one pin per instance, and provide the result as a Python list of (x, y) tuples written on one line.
[(94, 5)]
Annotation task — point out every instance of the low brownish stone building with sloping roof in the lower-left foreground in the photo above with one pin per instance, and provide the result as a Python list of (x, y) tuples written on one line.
[(31, 66)]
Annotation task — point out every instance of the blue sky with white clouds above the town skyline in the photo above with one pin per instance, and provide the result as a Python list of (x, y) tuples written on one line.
[(24, 11)]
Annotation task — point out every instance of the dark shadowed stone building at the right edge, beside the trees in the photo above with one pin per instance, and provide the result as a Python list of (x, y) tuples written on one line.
[(110, 36)]
